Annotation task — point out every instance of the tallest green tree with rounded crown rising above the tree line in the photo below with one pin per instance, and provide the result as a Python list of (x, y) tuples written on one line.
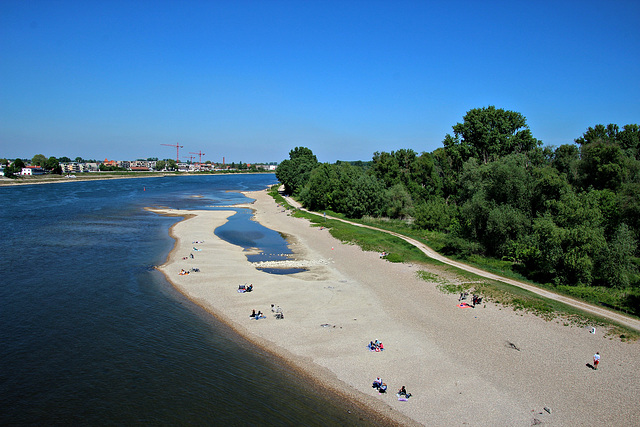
[(487, 134)]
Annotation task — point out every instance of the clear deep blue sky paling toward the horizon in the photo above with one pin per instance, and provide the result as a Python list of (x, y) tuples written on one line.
[(251, 80)]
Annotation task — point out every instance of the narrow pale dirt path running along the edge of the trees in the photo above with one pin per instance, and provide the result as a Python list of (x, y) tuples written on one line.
[(607, 314)]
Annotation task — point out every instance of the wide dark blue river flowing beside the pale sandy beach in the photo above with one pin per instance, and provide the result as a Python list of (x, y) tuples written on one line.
[(91, 334)]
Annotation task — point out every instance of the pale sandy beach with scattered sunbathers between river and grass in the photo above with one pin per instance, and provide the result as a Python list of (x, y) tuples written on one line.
[(484, 366)]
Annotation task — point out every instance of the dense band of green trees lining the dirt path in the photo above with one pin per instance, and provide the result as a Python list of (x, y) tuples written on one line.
[(564, 215)]
